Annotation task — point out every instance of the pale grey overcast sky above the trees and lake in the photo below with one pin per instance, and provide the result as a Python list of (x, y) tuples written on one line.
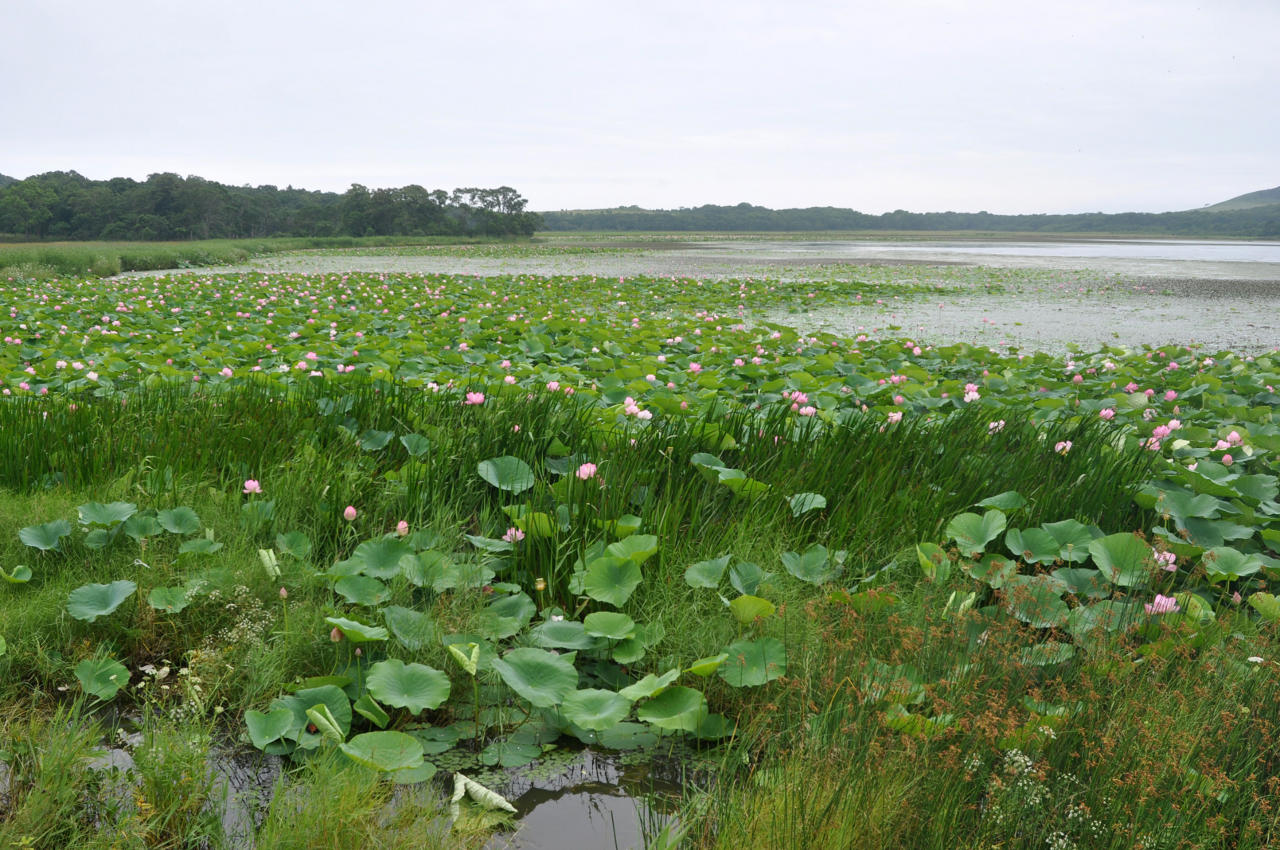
[(1009, 107)]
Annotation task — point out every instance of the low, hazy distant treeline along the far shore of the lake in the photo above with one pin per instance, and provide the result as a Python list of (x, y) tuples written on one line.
[(1258, 222)]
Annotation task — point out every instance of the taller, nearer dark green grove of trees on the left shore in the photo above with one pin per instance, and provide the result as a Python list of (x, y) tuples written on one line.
[(66, 205)]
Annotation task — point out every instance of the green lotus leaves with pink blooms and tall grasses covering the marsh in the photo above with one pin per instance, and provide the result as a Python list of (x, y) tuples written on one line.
[(410, 524)]
